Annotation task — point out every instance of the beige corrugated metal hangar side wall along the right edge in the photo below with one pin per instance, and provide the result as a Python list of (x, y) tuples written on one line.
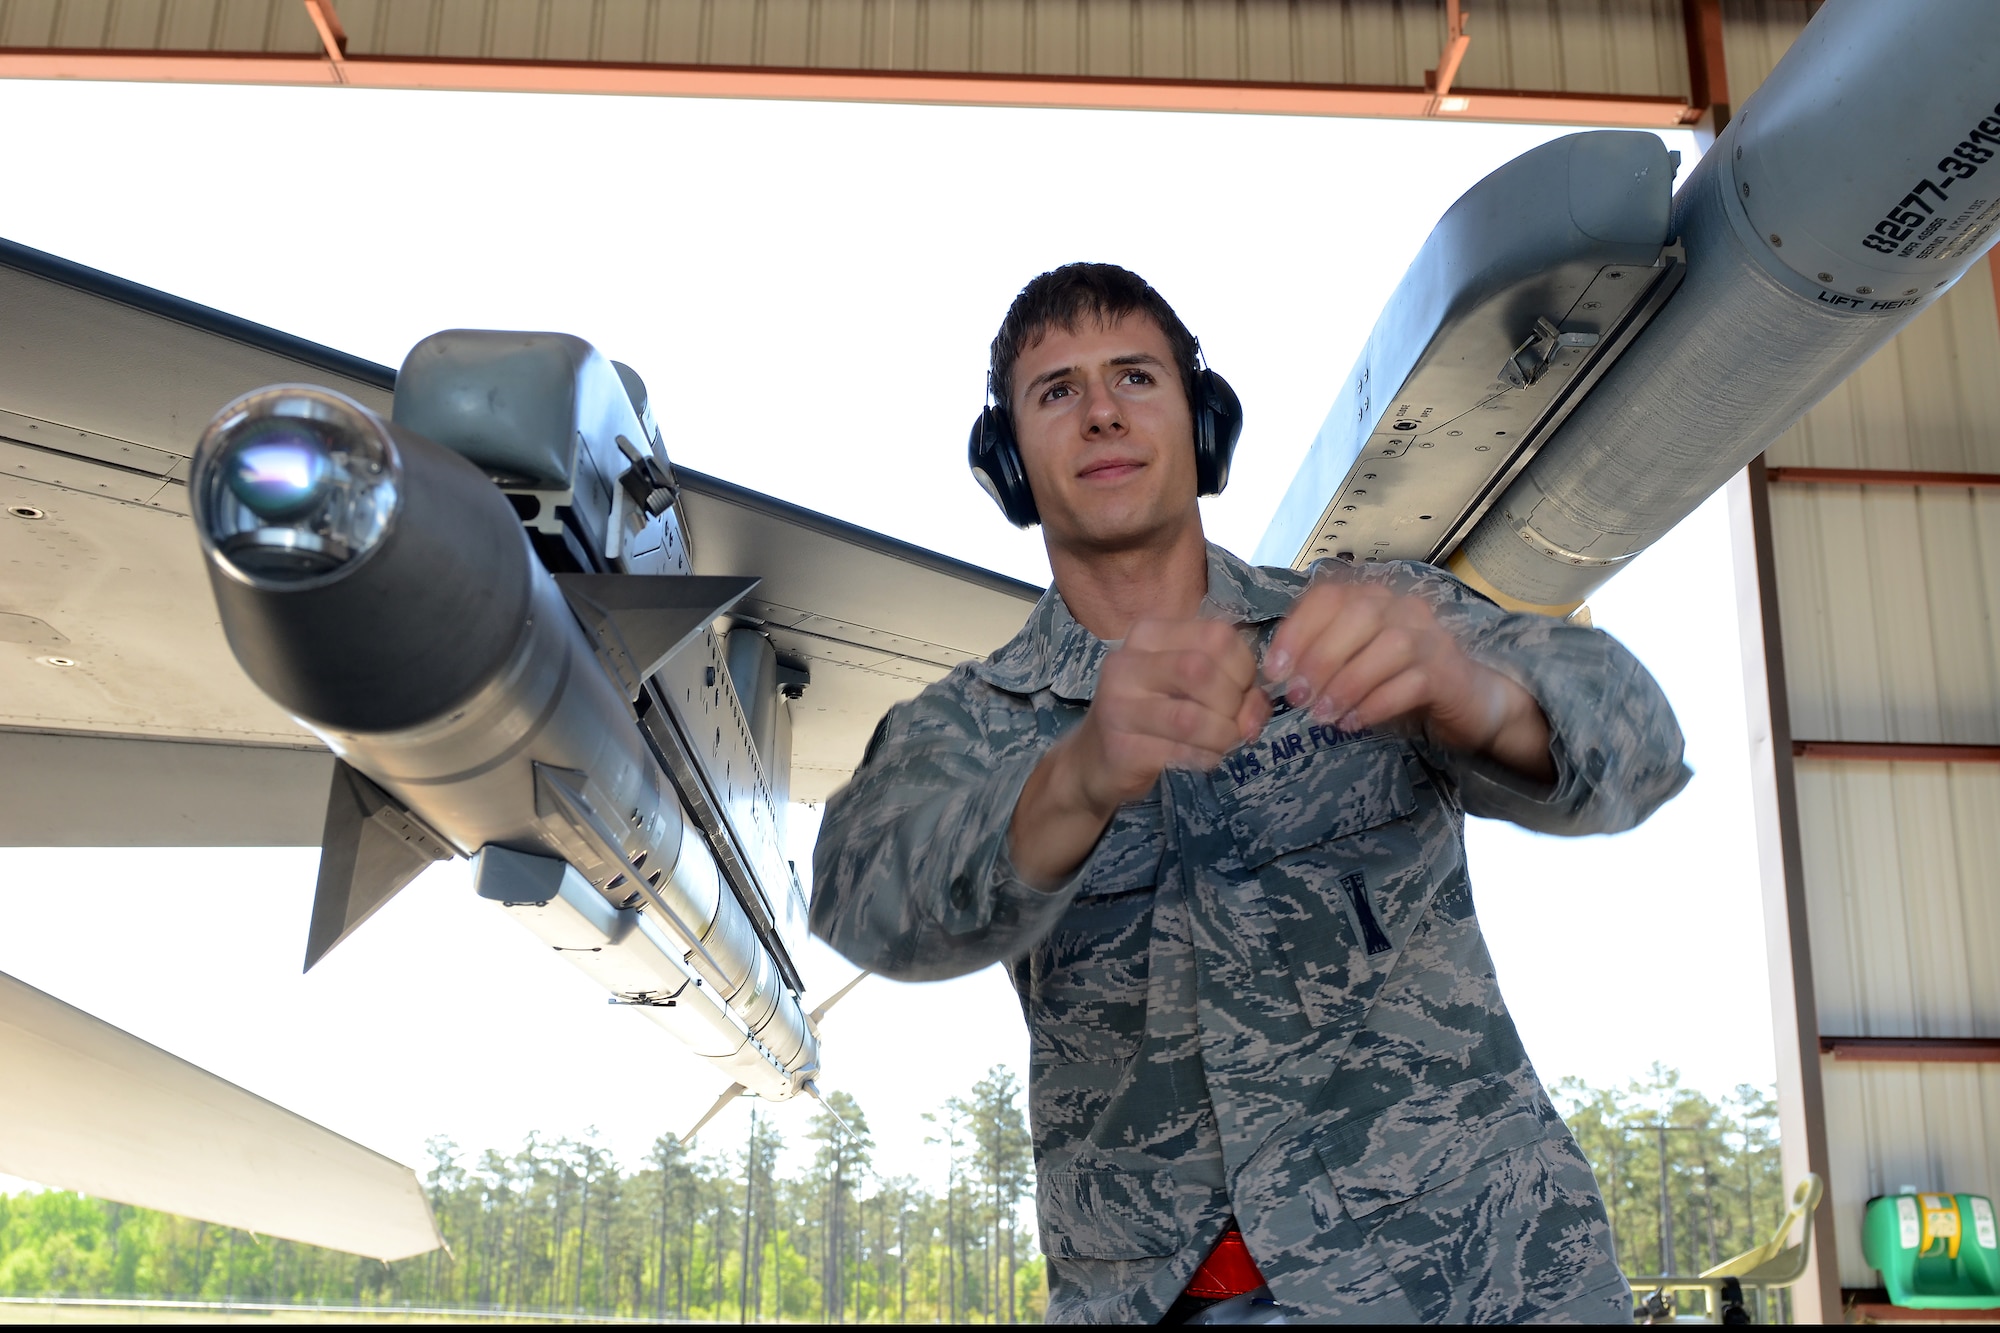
[(1891, 619)]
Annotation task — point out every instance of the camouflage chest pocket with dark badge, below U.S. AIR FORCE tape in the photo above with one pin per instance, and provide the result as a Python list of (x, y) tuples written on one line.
[(1331, 838)]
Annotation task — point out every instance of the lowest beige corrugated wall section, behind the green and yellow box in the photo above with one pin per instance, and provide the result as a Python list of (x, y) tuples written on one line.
[(1891, 1126)]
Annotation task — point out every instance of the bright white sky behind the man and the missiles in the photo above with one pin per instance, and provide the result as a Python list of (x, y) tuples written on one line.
[(809, 291)]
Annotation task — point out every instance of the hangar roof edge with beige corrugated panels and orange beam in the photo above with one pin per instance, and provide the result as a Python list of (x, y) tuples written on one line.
[(1609, 63)]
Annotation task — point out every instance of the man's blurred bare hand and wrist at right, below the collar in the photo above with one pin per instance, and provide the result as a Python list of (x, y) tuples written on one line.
[(1359, 655)]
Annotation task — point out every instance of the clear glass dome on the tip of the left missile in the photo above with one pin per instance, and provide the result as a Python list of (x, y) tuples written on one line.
[(293, 485)]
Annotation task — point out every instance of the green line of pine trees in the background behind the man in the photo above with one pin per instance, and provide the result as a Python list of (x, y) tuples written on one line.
[(559, 1226)]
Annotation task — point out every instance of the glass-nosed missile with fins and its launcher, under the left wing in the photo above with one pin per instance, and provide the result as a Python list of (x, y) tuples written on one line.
[(485, 607)]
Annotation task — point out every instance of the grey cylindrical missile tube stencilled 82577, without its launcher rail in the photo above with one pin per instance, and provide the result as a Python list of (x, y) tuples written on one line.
[(1855, 187)]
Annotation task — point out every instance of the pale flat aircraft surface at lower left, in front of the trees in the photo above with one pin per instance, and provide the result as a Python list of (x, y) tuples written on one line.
[(91, 1108)]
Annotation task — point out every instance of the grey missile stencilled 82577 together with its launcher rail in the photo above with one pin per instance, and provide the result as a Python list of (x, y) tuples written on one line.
[(1581, 355)]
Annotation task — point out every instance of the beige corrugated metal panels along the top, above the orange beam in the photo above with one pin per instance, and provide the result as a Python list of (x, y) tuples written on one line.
[(1593, 47)]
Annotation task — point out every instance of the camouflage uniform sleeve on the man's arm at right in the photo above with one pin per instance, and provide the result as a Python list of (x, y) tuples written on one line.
[(1613, 734)]
